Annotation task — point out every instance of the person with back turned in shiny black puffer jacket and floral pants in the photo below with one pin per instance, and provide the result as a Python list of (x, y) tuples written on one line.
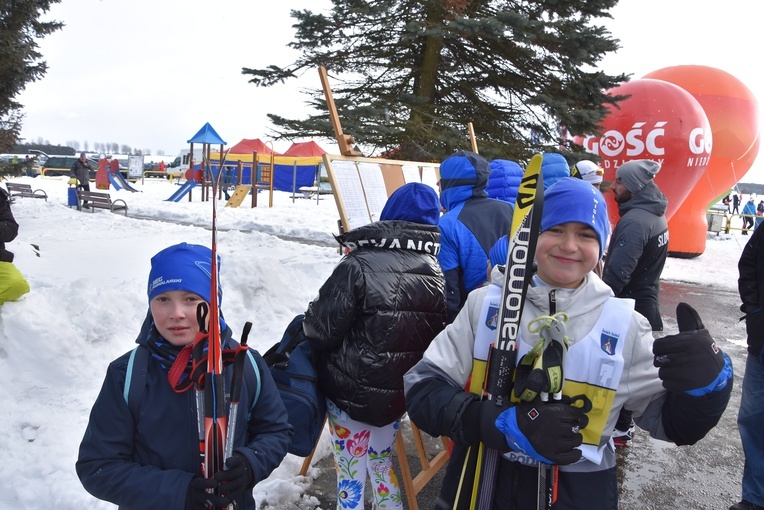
[(372, 321)]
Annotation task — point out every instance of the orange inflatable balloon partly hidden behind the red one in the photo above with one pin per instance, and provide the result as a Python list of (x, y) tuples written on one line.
[(732, 111)]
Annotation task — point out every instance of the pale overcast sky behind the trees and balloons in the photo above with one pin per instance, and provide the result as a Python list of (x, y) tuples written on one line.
[(149, 73)]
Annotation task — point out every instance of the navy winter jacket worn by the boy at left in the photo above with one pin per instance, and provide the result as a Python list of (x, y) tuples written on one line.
[(147, 461)]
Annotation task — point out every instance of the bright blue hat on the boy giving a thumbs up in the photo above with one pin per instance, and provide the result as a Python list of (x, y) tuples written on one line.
[(571, 199)]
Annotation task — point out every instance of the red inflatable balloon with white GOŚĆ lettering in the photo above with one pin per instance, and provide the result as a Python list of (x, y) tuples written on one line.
[(662, 122)]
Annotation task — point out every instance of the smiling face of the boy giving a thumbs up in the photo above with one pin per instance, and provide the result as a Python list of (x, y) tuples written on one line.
[(566, 253)]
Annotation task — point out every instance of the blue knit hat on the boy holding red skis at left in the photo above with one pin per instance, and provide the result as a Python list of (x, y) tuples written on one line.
[(184, 267)]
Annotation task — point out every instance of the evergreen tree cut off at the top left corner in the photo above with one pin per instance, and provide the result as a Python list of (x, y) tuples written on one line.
[(20, 60)]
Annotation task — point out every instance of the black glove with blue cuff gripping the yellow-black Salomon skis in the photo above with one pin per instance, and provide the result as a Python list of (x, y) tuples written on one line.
[(547, 431)]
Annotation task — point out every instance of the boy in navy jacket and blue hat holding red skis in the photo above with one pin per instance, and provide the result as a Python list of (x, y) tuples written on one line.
[(144, 454)]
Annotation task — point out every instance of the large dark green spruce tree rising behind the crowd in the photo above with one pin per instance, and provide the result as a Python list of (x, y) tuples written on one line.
[(408, 76)]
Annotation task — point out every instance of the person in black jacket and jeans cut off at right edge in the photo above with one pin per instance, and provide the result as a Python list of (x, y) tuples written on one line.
[(751, 413)]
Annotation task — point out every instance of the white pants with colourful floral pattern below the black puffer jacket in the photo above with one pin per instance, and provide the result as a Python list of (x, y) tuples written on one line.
[(360, 448)]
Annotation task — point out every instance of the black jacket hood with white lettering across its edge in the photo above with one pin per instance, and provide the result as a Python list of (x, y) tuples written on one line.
[(393, 235)]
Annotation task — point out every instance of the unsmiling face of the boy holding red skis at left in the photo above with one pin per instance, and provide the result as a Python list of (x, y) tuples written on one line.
[(174, 315)]
